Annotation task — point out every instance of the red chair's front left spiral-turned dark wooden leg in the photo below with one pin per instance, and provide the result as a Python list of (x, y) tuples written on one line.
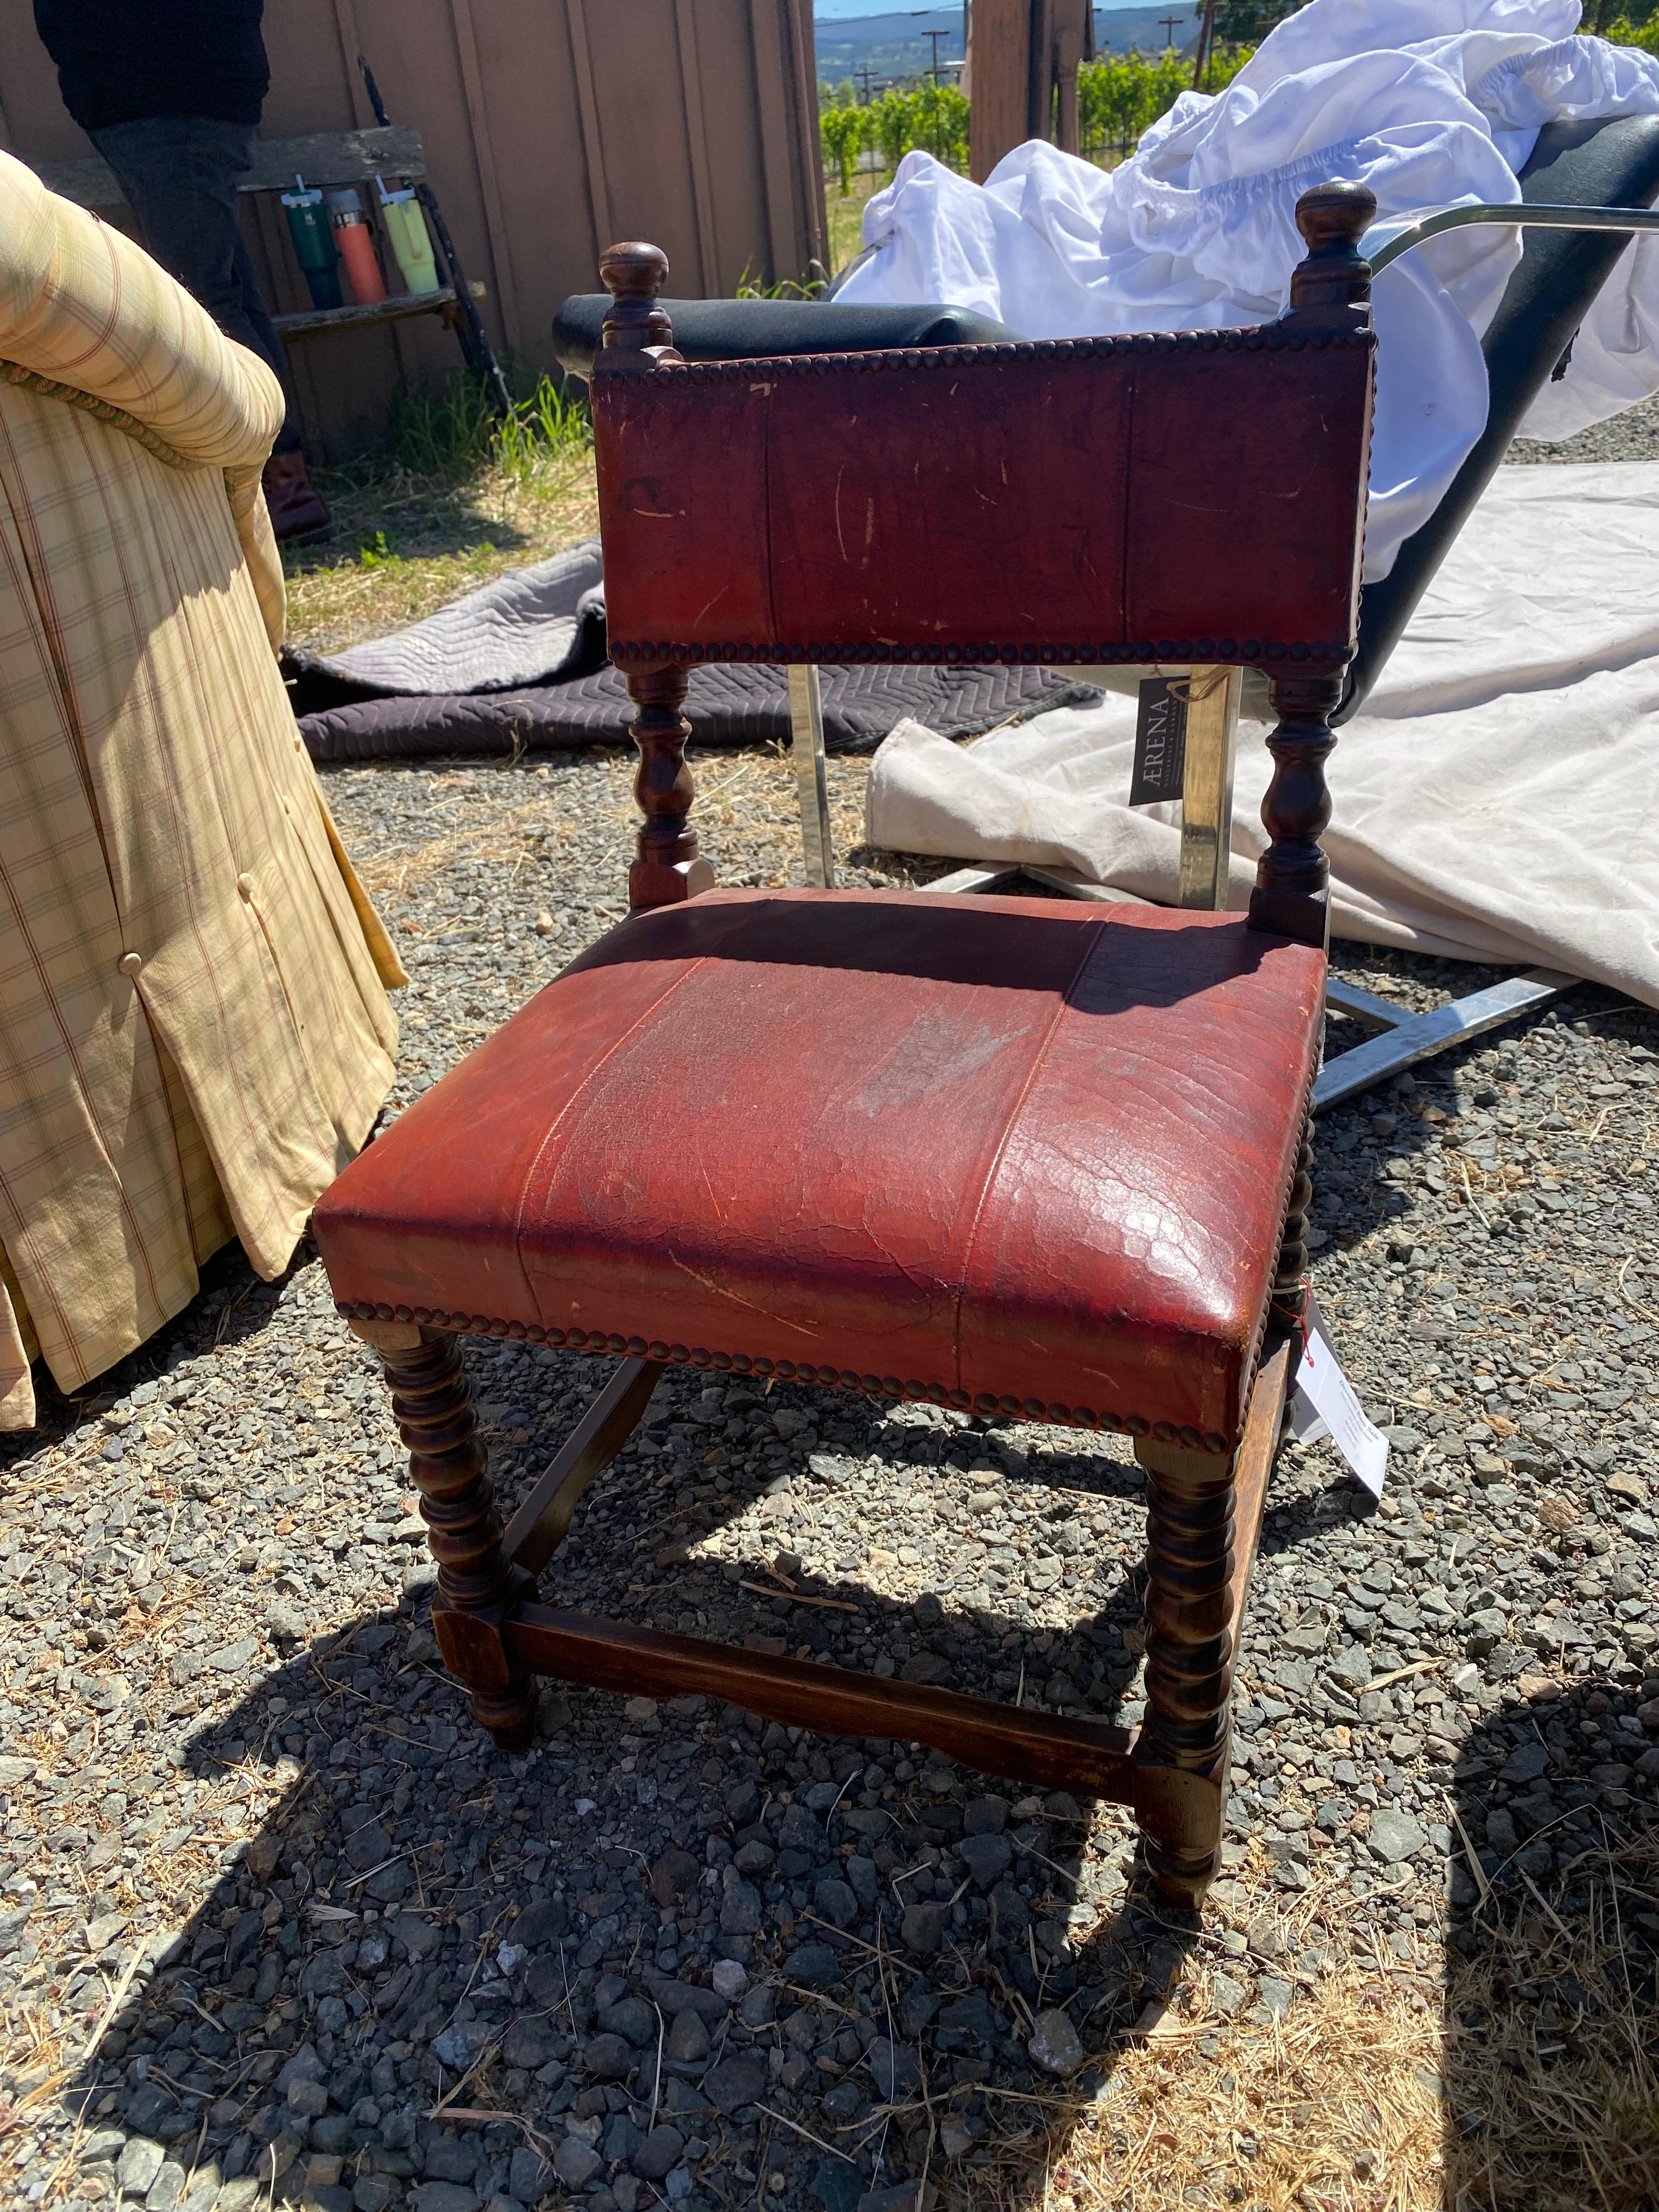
[(448, 1463)]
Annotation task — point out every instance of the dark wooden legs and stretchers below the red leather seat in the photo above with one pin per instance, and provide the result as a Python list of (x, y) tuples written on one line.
[(494, 1636)]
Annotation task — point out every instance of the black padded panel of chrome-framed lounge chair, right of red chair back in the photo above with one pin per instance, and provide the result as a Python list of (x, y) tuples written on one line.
[(1609, 165)]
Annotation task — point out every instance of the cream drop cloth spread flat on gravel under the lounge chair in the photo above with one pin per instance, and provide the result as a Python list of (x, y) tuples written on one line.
[(1499, 800)]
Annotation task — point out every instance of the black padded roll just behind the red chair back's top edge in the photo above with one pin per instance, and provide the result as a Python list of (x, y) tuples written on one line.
[(751, 328)]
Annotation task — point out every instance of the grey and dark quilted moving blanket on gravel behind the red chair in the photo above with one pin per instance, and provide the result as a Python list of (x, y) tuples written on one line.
[(519, 667)]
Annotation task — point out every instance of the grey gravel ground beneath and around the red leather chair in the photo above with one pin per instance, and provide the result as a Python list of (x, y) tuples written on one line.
[(269, 1901)]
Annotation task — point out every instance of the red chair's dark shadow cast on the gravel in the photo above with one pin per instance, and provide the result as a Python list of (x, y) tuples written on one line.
[(331, 1760)]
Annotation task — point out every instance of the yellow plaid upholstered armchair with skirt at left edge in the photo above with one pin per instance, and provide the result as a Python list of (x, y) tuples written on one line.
[(194, 1021)]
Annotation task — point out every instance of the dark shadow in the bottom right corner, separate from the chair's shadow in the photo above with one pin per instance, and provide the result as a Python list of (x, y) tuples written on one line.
[(1552, 2007)]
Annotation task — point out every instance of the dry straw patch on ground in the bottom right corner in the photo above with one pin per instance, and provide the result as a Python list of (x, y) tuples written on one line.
[(1514, 2069)]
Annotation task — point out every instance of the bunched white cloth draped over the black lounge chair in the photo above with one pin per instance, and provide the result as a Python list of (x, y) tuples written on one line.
[(1432, 103)]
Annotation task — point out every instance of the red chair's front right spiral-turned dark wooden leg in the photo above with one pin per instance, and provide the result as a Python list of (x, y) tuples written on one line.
[(1189, 1658)]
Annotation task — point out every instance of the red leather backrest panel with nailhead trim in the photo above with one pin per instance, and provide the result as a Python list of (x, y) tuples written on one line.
[(1154, 499)]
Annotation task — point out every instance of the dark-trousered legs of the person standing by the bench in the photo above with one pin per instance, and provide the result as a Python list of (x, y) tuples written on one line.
[(180, 176)]
